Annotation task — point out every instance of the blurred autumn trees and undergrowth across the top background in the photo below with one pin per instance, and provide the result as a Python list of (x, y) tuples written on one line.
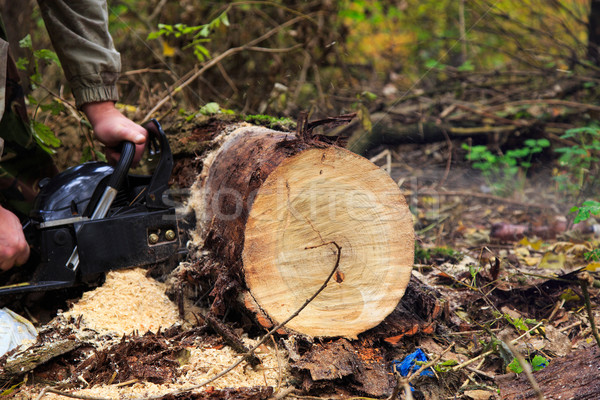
[(327, 56)]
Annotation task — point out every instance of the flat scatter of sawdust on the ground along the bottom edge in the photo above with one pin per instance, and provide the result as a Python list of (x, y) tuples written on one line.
[(203, 363)]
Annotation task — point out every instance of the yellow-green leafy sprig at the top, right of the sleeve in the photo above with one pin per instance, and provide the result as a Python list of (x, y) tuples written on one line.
[(198, 34)]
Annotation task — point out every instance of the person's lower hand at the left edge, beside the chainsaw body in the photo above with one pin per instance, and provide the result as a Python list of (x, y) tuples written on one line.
[(14, 249)]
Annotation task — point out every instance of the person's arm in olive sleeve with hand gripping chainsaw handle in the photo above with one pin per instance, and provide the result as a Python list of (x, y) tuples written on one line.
[(79, 33)]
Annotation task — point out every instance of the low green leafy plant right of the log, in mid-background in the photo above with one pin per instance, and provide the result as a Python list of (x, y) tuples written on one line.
[(505, 172)]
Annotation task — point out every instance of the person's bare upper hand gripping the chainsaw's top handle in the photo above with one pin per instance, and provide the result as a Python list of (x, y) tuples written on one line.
[(111, 128)]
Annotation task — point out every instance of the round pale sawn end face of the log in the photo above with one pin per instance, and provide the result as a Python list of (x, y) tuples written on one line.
[(310, 201)]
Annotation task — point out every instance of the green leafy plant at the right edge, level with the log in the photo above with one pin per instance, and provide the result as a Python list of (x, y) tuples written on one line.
[(579, 161)]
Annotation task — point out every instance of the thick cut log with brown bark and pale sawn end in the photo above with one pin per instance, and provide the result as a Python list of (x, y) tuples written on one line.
[(274, 208)]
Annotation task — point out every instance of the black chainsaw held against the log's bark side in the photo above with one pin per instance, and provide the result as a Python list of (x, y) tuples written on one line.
[(93, 218)]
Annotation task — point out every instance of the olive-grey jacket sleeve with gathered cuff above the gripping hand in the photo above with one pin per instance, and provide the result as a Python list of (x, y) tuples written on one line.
[(79, 33)]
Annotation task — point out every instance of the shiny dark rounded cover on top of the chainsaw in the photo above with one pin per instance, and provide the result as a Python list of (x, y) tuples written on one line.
[(68, 194)]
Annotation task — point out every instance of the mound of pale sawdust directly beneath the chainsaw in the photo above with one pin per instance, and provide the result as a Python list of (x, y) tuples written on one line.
[(128, 301)]
